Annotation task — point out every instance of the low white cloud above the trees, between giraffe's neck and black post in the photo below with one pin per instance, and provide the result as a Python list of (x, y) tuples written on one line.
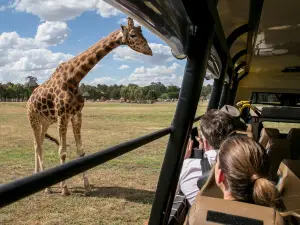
[(144, 76)]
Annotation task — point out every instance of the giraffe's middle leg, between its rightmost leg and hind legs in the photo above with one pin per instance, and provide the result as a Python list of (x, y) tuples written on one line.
[(62, 130)]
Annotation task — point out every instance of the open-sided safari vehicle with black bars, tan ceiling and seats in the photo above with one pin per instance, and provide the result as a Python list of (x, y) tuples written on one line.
[(250, 48)]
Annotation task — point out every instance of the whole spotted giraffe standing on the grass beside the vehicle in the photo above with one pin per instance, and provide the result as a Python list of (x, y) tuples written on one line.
[(58, 100)]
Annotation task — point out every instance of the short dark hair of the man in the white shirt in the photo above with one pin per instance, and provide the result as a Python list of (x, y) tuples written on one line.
[(215, 126)]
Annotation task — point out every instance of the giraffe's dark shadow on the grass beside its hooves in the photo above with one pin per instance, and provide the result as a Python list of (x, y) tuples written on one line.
[(130, 194)]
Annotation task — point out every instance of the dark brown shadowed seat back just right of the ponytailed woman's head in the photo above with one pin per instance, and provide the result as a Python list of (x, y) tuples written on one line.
[(279, 149)]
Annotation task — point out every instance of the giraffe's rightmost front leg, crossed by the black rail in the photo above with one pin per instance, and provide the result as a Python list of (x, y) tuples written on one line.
[(76, 123)]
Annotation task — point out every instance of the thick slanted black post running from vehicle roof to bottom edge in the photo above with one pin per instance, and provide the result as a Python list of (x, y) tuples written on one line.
[(200, 44)]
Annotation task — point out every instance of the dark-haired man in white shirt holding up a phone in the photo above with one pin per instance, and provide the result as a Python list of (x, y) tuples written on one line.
[(215, 126)]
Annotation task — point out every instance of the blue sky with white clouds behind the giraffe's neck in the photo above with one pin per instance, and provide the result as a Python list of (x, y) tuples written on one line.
[(35, 36)]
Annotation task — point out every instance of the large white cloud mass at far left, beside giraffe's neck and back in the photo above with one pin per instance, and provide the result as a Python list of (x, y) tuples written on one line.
[(21, 57)]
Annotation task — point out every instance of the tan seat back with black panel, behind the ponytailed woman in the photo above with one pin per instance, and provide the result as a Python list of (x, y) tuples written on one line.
[(207, 210)]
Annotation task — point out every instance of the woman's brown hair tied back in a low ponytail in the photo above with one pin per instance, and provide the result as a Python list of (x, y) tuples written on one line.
[(245, 165)]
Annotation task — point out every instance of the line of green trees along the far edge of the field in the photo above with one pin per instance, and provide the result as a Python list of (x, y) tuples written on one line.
[(131, 92)]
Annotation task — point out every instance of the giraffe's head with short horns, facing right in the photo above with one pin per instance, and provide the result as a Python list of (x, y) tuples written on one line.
[(133, 37)]
